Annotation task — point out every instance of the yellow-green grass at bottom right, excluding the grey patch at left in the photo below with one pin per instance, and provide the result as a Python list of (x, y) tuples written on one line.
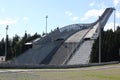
[(82, 75)]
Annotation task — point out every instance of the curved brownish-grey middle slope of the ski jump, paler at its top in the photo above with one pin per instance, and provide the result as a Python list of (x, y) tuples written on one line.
[(67, 48)]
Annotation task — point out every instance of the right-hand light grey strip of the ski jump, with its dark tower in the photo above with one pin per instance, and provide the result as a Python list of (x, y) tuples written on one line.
[(82, 55)]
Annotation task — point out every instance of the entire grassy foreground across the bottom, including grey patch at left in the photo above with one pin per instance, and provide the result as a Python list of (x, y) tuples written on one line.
[(90, 73)]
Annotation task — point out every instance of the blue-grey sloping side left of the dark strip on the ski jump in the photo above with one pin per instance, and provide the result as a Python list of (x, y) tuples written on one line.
[(36, 55)]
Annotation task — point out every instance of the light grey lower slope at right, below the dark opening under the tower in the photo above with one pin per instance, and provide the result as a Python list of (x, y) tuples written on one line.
[(82, 54)]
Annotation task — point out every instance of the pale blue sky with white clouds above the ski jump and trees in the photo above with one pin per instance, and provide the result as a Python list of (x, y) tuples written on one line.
[(29, 15)]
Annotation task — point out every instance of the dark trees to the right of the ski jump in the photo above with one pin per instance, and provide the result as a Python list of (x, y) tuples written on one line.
[(110, 45)]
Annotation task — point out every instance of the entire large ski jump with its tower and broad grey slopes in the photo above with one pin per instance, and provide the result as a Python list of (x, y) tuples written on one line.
[(69, 45)]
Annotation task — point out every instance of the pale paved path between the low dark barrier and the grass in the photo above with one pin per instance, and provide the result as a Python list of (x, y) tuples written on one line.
[(60, 70)]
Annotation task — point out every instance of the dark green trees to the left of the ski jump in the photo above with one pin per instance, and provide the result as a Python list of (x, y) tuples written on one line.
[(16, 45)]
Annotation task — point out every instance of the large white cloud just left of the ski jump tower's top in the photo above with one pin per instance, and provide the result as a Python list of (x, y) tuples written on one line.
[(92, 13)]
